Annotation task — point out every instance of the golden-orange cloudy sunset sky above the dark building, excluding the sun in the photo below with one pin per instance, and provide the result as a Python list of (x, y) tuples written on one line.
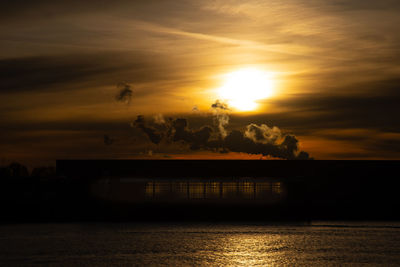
[(101, 80)]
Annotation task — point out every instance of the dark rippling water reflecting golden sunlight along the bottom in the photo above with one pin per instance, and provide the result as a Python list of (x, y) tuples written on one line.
[(101, 244)]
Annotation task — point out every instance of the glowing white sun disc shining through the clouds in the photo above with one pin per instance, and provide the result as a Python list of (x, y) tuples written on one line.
[(242, 88)]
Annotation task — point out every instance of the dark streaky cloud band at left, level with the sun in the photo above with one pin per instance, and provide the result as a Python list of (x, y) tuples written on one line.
[(93, 69)]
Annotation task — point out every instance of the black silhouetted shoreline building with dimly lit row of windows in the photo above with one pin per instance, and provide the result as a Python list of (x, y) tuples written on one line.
[(215, 191)]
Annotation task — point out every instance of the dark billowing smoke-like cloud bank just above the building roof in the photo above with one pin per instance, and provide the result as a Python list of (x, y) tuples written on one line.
[(266, 143)]
